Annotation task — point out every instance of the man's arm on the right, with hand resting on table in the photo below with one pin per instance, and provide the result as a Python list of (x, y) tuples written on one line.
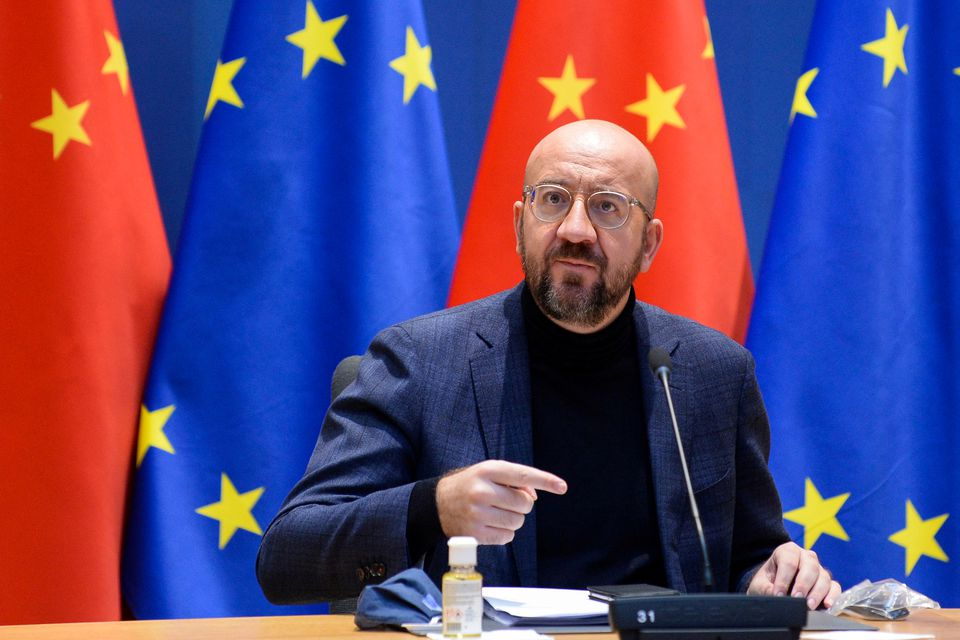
[(764, 560)]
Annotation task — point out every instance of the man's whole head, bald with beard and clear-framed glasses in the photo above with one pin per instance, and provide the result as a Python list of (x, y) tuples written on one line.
[(579, 271)]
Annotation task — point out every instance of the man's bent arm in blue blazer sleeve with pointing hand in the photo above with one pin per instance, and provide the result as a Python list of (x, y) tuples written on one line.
[(346, 522)]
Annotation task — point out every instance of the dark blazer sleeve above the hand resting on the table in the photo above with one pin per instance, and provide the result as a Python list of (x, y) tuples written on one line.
[(758, 520)]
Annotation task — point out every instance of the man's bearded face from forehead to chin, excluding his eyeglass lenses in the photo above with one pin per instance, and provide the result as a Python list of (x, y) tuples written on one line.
[(578, 273)]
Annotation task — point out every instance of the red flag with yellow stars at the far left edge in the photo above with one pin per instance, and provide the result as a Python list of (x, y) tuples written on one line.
[(83, 270)]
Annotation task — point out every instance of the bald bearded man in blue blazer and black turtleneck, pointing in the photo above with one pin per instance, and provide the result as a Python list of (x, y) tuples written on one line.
[(530, 421)]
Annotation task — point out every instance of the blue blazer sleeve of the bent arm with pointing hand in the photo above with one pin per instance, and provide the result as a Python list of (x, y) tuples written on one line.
[(344, 524)]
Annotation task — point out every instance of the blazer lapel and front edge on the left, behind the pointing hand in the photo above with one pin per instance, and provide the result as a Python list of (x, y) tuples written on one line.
[(500, 370)]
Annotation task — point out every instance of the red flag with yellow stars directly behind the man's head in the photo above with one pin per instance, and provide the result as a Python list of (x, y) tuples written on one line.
[(647, 66)]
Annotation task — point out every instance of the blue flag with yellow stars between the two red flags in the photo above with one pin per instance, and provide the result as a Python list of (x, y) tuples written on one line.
[(321, 211)]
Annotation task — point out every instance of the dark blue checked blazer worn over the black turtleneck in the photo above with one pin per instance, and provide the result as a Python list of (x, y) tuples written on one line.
[(450, 389)]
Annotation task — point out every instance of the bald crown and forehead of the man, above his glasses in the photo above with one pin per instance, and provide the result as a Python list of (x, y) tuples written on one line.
[(598, 145)]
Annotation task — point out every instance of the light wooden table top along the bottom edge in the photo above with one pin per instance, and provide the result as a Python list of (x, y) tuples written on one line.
[(943, 623)]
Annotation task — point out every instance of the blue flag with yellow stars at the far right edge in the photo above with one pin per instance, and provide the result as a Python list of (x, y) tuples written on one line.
[(856, 323)]
